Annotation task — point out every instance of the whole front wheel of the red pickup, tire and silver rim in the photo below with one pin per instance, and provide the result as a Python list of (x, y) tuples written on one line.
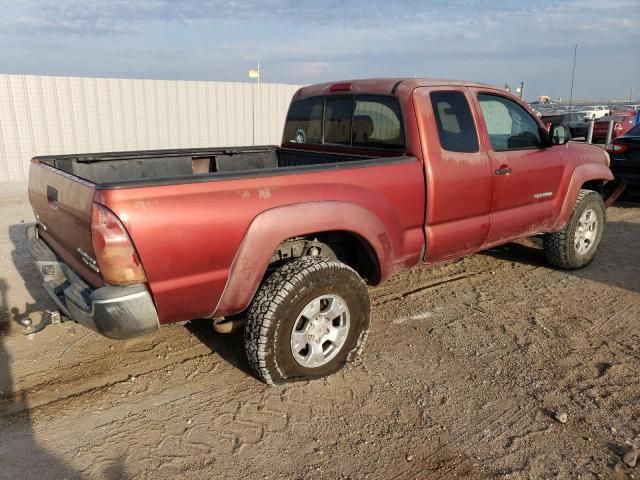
[(577, 243)]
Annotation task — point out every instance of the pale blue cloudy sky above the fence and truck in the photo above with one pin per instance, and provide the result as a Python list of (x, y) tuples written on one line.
[(304, 42)]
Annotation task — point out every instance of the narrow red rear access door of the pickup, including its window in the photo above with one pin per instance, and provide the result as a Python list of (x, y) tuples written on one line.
[(457, 171)]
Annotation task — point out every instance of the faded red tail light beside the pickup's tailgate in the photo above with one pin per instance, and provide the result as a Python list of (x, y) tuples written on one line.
[(117, 258)]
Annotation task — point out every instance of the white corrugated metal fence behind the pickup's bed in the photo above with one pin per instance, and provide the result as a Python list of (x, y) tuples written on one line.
[(42, 115)]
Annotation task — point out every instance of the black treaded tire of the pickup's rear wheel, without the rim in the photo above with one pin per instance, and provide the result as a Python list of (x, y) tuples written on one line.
[(276, 308)]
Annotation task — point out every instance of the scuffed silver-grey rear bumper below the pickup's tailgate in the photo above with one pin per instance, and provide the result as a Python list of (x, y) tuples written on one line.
[(113, 311)]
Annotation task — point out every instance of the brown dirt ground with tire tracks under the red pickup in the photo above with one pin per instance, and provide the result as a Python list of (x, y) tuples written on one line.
[(465, 369)]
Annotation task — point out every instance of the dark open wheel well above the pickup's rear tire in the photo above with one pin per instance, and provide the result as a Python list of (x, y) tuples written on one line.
[(349, 248)]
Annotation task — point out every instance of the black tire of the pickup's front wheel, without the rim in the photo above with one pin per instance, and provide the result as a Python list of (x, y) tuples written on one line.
[(560, 247)]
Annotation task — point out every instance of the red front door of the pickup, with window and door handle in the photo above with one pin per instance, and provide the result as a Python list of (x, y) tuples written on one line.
[(526, 177)]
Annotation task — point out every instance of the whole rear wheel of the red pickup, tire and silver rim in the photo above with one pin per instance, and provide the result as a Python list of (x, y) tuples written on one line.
[(307, 320)]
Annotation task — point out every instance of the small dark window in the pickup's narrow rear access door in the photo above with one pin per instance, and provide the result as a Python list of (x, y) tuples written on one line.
[(456, 129)]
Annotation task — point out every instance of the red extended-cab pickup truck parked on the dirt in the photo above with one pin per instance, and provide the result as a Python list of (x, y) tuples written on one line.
[(372, 177)]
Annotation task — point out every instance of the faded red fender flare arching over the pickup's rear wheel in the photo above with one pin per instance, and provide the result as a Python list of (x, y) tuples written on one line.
[(273, 226)]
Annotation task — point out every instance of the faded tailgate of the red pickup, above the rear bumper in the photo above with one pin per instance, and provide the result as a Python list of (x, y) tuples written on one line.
[(62, 206)]
